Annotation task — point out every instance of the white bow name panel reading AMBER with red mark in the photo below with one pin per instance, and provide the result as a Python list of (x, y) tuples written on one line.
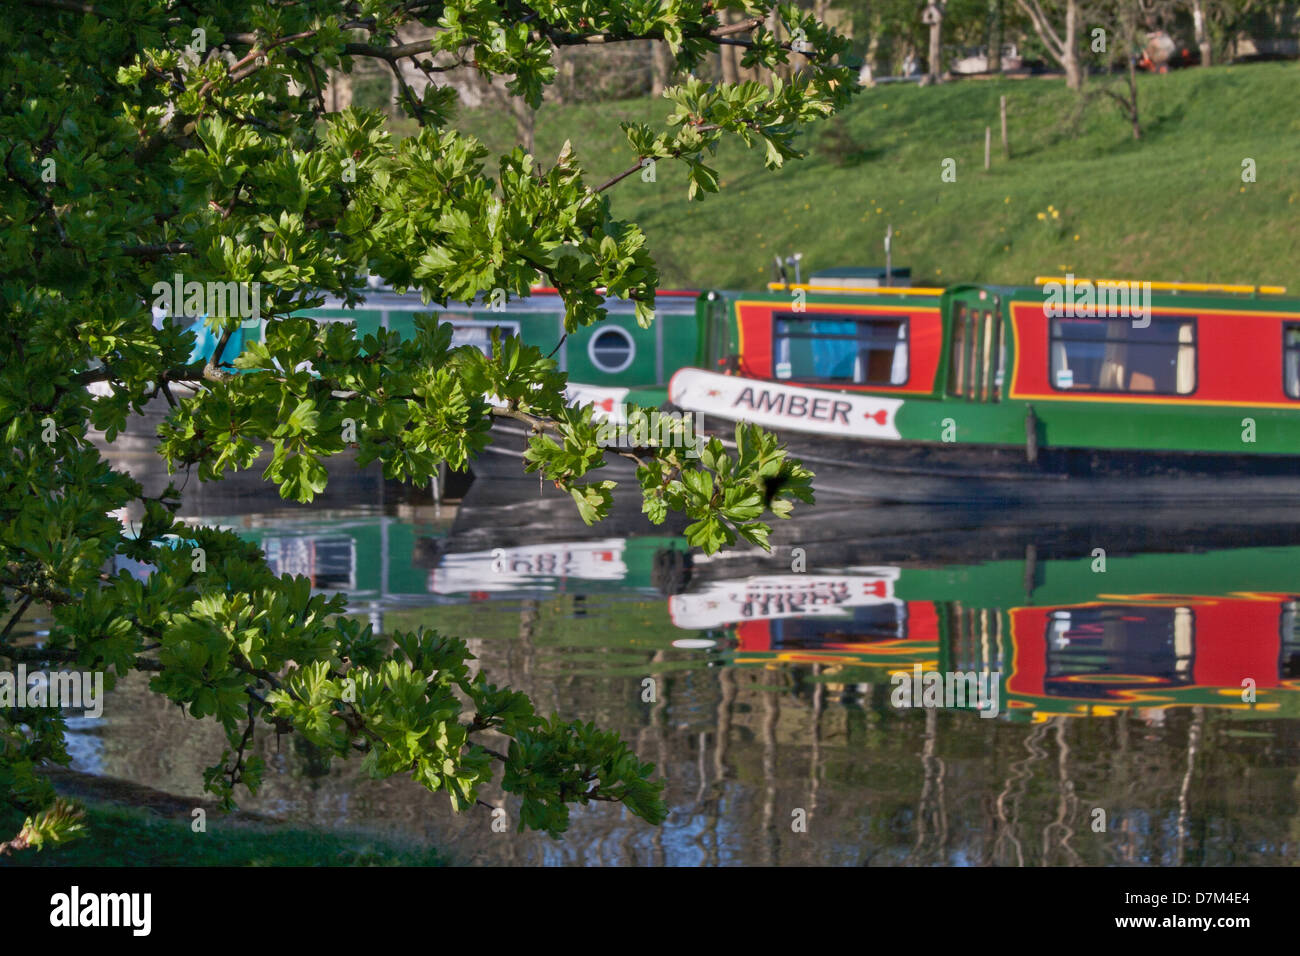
[(785, 406)]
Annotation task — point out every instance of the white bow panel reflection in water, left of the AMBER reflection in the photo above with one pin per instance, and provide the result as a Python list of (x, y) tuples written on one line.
[(539, 568)]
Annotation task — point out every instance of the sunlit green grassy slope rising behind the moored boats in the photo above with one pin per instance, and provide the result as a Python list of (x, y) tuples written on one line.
[(1172, 206)]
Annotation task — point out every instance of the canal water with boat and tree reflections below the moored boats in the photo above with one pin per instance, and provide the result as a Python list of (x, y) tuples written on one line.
[(1139, 677)]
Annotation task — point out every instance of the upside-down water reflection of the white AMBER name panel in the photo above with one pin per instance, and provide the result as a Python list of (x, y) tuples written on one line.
[(783, 596)]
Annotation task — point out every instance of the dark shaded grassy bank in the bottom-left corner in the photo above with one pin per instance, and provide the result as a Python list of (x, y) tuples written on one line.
[(129, 837)]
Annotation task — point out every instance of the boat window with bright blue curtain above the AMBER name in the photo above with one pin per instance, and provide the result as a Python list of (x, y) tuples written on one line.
[(840, 349)]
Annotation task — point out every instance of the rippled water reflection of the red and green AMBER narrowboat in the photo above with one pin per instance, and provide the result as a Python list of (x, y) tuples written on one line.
[(1150, 631)]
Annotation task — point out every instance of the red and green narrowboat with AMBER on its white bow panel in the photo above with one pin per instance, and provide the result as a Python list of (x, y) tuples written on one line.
[(1013, 393)]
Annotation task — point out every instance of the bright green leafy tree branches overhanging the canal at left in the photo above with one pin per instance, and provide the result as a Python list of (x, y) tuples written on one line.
[(145, 141)]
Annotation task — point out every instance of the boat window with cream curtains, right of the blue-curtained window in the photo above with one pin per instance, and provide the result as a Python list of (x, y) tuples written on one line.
[(1113, 356)]
